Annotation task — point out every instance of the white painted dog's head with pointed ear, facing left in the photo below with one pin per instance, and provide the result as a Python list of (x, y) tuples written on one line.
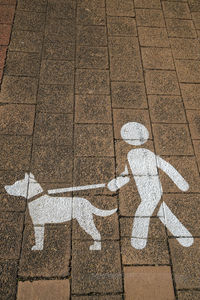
[(19, 188)]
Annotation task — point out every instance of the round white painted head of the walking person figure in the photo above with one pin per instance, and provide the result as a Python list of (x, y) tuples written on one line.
[(134, 133)]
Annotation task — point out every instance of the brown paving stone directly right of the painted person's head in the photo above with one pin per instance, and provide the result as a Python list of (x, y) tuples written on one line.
[(172, 139)]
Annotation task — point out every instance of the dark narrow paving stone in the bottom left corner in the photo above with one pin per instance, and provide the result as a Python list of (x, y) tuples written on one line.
[(8, 280)]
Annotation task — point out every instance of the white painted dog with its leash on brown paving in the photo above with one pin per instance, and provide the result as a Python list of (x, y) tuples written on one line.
[(47, 209)]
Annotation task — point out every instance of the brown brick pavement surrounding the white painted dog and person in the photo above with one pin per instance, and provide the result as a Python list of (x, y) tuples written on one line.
[(75, 72)]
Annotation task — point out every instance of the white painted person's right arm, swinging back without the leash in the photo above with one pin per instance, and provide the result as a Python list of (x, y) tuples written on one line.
[(173, 174)]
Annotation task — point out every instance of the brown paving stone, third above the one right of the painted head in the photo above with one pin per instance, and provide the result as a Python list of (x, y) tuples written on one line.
[(157, 58)]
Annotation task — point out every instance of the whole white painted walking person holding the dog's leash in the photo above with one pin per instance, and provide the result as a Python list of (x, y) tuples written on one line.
[(144, 166)]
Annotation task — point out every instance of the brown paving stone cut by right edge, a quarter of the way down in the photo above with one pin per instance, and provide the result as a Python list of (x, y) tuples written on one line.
[(188, 70)]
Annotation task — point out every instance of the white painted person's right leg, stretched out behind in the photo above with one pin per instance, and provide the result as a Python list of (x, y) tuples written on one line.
[(182, 235)]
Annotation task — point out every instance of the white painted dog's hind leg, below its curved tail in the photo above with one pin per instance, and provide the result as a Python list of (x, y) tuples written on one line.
[(87, 223)]
